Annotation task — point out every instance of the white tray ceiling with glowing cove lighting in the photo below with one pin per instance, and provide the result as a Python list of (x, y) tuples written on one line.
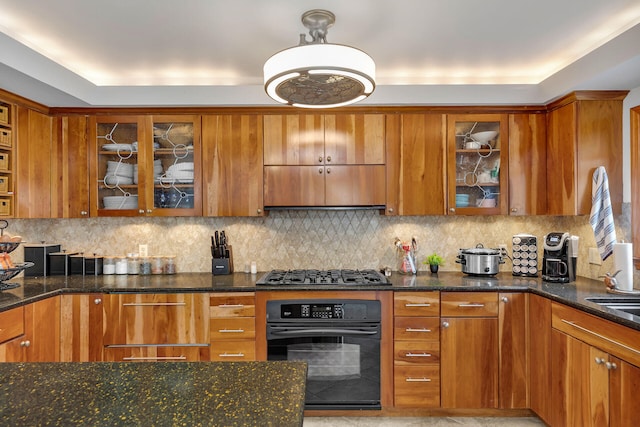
[(210, 52)]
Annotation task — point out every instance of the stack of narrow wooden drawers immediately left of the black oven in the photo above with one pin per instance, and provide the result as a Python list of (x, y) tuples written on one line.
[(232, 326)]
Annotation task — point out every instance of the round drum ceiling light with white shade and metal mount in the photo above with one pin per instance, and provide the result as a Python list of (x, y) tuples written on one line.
[(318, 74)]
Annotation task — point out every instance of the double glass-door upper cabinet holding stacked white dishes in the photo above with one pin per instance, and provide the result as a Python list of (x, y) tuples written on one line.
[(145, 165)]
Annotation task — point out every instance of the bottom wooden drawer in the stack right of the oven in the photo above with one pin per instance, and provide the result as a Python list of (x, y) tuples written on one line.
[(417, 386)]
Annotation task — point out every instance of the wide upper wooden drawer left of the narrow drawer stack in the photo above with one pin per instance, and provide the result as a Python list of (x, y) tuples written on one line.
[(180, 318)]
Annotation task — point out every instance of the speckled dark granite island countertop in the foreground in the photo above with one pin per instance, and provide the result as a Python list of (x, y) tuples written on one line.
[(153, 394)]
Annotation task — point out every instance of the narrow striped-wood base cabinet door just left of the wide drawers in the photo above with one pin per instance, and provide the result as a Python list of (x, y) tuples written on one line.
[(81, 328)]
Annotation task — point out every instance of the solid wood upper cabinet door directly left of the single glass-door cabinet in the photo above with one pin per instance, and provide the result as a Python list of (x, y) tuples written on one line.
[(415, 164)]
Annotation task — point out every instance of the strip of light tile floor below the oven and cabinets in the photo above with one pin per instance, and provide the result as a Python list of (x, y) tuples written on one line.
[(421, 422)]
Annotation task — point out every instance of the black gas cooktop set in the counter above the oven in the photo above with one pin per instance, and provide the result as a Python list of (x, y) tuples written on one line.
[(323, 277)]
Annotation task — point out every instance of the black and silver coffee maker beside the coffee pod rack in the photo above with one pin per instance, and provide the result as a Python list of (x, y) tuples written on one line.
[(560, 257)]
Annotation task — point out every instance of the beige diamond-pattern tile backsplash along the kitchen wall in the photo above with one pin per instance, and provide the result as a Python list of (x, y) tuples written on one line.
[(308, 239)]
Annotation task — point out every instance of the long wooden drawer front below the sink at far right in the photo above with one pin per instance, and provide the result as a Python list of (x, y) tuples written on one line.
[(615, 339)]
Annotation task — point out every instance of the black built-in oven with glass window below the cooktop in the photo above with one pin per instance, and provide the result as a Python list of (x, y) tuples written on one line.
[(339, 340)]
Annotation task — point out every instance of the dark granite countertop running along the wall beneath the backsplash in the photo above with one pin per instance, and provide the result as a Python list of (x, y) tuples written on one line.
[(573, 294)]
